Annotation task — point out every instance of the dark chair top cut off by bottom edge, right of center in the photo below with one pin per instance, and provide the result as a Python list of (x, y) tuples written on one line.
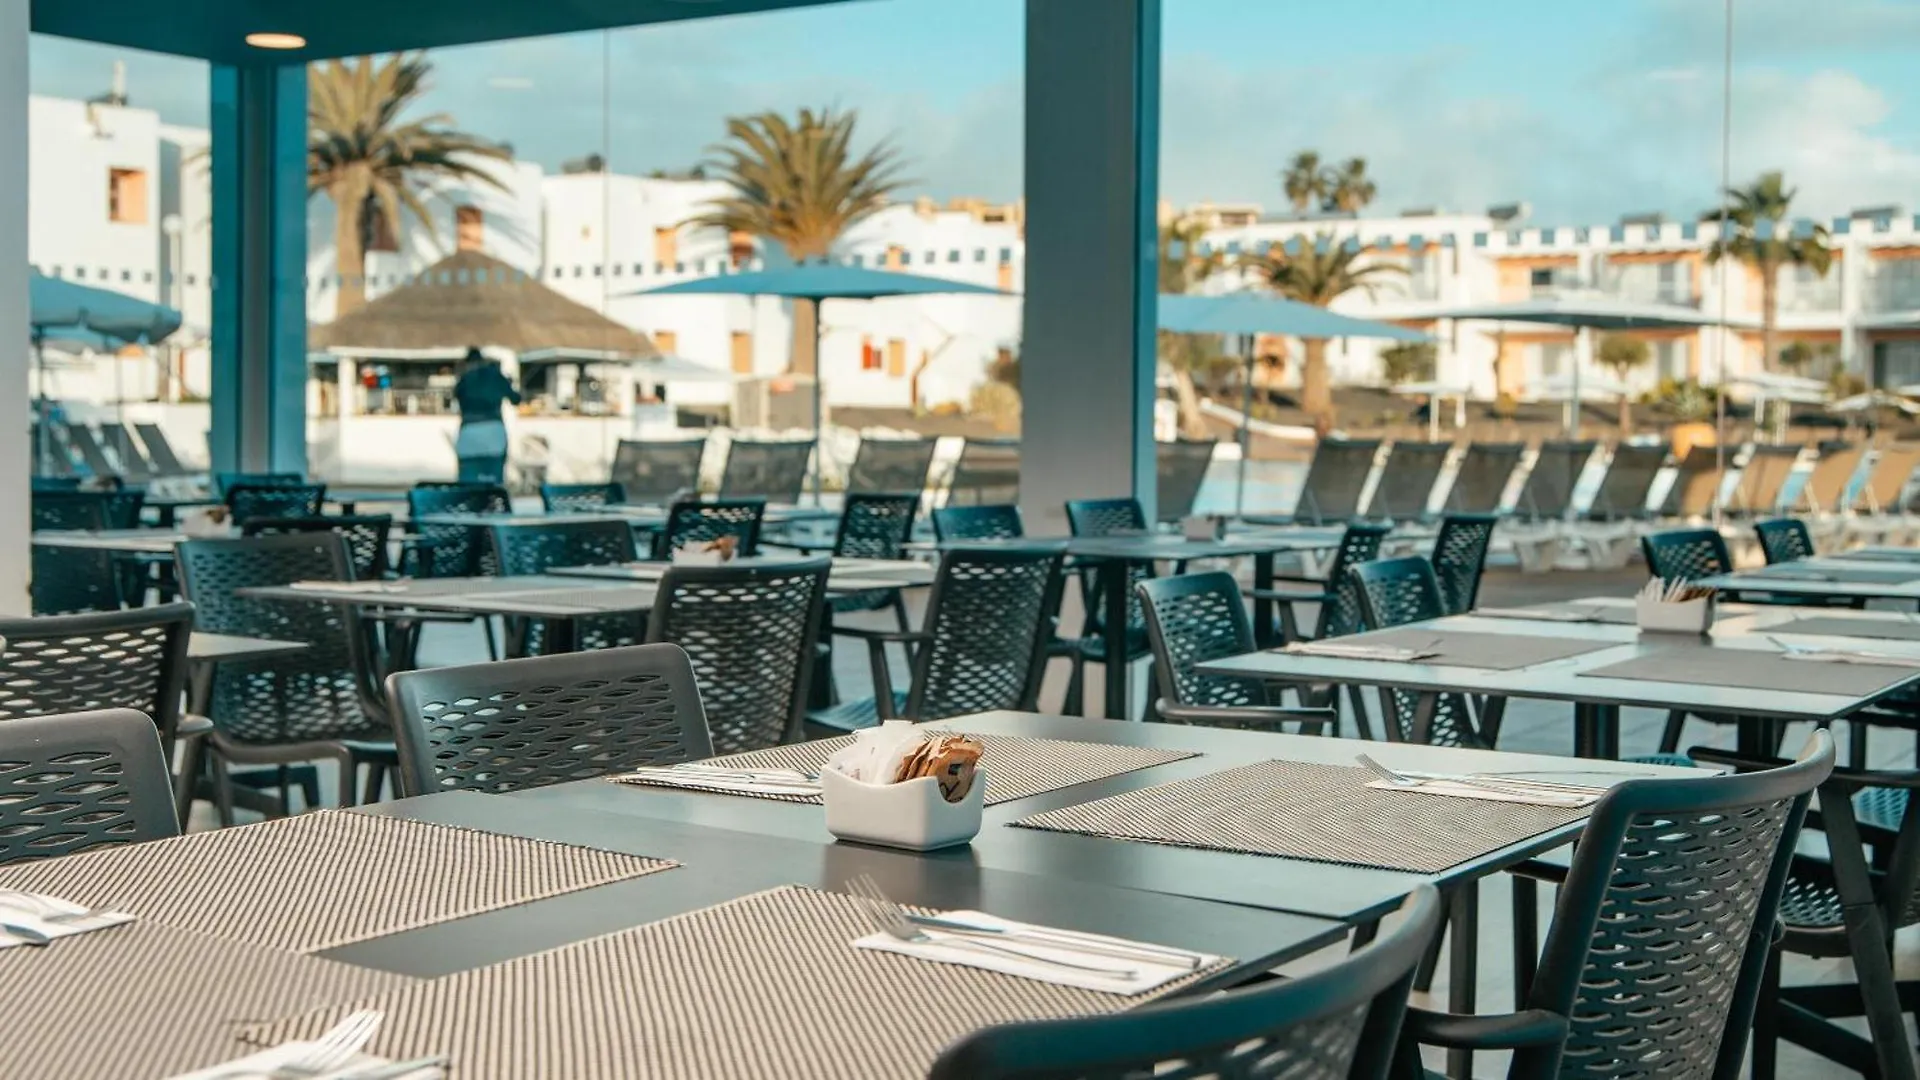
[(1339, 1023)]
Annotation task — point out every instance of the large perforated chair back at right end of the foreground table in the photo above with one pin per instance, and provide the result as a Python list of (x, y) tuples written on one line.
[(1666, 920)]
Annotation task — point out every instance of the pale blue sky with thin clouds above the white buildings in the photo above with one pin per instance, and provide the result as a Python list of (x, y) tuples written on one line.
[(1583, 109)]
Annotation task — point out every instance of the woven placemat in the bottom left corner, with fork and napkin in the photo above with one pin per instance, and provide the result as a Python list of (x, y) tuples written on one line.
[(145, 1000)]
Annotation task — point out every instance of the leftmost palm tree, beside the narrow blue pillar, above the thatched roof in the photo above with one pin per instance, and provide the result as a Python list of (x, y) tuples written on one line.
[(373, 162)]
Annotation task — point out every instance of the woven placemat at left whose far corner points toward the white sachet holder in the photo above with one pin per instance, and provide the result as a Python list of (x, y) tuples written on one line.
[(324, 879)]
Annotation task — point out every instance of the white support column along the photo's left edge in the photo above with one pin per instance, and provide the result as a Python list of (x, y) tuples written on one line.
[(14, 335)]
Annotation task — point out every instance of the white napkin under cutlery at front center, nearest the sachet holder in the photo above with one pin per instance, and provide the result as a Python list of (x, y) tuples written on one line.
[(1147, 975)]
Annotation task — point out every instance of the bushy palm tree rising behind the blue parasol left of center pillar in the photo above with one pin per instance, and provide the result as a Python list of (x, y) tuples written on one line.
[(800, 185)]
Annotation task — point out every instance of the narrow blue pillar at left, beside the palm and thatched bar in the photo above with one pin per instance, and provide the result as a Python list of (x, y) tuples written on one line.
[(260, 268)]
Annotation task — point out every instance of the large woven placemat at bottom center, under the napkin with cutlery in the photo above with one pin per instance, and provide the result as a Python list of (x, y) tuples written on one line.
[(767, 985)]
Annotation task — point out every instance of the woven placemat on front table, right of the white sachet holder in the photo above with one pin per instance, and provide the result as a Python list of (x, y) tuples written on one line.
[(1299, 810)]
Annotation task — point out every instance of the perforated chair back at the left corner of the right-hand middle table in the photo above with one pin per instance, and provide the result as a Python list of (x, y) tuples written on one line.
[(1193, 620)]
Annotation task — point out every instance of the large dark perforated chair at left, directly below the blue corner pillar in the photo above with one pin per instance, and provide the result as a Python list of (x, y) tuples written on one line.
[(320, 704)]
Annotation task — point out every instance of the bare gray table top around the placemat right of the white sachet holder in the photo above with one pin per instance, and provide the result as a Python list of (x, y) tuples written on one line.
[(1257, 881)]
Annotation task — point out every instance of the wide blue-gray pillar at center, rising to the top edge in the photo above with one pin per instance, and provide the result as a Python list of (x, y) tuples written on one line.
[(1093, 184)]
